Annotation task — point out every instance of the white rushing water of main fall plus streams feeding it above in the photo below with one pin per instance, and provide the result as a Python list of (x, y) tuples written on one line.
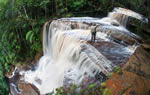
[(67, 55)]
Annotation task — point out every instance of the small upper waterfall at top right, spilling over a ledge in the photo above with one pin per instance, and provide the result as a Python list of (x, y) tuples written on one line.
[(122, 16)]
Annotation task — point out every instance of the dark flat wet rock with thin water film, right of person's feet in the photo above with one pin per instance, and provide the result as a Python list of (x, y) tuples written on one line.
[(112, 51)]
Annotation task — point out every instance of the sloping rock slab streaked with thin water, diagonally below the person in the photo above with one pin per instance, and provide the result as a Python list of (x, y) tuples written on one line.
[(97, 58)]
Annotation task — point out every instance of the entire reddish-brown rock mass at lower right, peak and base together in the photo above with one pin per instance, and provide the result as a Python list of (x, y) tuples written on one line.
[(135, 77)]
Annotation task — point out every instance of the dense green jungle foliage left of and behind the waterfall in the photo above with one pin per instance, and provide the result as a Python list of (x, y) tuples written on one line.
[(21, 23)]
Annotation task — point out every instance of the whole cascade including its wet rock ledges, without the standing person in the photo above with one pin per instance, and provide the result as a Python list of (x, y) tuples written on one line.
[(69, 56)]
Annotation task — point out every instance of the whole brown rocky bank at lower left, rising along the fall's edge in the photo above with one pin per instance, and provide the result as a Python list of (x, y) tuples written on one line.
[(19, 86)]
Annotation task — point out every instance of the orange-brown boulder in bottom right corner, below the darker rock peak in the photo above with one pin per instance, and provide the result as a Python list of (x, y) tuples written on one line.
[(128, 83)]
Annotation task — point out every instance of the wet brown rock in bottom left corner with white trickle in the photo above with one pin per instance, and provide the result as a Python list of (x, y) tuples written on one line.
[(19, 87)]
